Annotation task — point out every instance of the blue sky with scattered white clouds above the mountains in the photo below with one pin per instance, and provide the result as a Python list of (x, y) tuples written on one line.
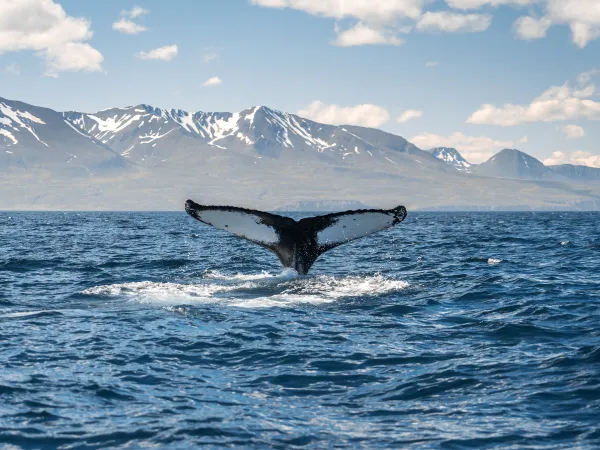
[(477, 75)]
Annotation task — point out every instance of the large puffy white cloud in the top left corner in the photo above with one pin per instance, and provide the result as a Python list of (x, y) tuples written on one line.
[(44, 27)]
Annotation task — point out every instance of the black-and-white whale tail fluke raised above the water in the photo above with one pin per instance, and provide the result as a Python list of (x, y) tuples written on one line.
[(297, 243)]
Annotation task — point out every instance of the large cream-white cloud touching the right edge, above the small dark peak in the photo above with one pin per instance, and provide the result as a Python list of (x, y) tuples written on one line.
[(556, 104)]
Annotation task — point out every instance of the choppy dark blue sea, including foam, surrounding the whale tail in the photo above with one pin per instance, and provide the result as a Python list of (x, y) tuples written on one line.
[(453, 330)]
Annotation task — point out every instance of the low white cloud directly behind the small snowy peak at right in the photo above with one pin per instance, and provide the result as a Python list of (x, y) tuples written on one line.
[(475, 149)]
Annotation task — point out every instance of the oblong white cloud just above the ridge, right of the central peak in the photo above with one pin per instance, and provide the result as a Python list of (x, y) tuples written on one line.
[(365, 115)]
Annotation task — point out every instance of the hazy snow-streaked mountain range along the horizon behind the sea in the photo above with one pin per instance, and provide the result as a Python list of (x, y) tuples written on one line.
[(147, 158)]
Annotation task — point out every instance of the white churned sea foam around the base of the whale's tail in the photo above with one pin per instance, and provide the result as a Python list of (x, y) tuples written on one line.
[(254, 291)]
